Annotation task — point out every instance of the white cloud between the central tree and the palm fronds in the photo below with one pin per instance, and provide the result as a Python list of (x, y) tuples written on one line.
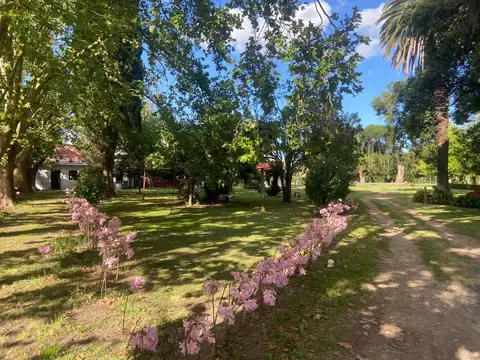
[(370, 28)]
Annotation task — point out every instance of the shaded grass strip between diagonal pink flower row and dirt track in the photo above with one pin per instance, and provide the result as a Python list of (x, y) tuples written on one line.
[(285, 331)]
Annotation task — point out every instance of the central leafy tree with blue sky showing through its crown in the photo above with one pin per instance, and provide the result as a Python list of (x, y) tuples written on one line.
[(286, 114)]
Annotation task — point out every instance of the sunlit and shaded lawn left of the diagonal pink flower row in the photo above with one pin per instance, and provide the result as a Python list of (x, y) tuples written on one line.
[(60, 315)]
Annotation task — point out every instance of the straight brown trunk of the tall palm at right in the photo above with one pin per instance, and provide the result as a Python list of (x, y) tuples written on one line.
[(441, 138)]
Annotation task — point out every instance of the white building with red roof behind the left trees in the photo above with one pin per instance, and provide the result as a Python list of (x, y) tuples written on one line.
[(67, 162)]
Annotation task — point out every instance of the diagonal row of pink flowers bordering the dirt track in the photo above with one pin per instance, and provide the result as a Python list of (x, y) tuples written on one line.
[(257, 286)]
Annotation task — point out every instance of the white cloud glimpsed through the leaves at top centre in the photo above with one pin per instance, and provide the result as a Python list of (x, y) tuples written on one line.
[(307, 13)]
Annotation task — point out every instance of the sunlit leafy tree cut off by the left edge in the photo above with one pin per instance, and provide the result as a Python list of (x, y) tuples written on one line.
[(41, 43)]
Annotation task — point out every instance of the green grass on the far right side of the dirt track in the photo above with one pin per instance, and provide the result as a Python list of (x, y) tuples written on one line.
[(462, 220)]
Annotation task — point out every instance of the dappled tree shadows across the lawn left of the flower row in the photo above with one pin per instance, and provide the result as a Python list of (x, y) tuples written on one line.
[(170, 250)]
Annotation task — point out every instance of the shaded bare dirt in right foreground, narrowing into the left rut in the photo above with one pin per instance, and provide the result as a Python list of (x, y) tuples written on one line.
[(409, 315)]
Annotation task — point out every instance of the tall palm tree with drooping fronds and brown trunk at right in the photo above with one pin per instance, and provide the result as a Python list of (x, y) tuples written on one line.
[(409, 37)]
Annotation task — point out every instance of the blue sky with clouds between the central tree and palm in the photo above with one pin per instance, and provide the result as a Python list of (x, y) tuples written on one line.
[(376, 71)]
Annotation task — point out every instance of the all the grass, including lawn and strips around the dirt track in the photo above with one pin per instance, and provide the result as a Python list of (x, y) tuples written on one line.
[(60, 315)]
